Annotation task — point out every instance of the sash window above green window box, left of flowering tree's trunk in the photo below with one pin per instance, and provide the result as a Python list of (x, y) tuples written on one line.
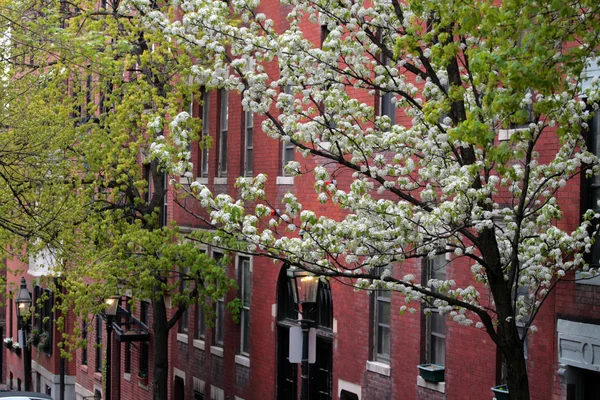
[(435, 323)]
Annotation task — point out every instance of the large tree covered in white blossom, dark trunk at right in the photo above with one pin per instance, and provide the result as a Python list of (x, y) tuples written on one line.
[(442, 182)]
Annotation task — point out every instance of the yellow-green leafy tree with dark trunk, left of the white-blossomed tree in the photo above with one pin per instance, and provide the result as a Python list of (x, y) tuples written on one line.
[(103, 92)]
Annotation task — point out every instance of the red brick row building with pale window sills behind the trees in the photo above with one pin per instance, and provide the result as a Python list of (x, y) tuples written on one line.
[(365, 348)]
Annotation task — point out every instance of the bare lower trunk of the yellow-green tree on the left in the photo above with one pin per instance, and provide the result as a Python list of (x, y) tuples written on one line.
[(161, 350)]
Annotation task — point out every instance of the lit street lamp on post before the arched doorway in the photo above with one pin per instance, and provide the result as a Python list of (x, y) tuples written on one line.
[(304, 286)]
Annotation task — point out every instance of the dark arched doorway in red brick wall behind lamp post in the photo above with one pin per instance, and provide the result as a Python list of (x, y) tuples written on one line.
[(320, 373)]
